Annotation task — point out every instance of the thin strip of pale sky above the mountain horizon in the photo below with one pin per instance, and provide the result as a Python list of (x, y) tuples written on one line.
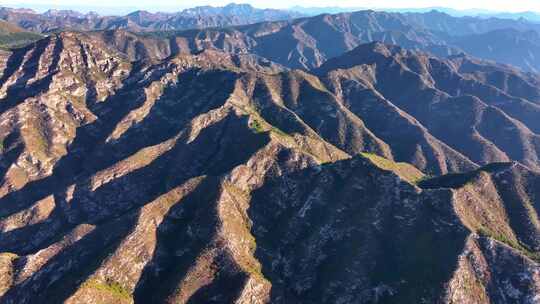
[(155, 5)]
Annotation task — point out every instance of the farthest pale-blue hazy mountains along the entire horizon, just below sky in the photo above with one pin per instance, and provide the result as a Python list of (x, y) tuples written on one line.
[(207, 16)]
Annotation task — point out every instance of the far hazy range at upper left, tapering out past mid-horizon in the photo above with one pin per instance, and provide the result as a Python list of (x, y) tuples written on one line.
[(198, 17)]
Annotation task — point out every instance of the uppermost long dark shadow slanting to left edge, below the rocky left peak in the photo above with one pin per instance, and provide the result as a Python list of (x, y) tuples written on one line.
[(90, 150)]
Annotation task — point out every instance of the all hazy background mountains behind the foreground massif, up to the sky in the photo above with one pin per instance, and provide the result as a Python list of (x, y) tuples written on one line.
[(303, 42)]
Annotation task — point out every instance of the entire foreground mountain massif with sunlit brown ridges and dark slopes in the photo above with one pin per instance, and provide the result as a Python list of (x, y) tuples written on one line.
[(219, 178)]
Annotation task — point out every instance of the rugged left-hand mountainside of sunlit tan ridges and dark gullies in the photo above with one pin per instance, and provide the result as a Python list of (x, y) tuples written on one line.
[(134, 129)]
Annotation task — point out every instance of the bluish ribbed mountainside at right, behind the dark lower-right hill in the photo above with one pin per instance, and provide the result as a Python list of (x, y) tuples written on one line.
[(466, 106)]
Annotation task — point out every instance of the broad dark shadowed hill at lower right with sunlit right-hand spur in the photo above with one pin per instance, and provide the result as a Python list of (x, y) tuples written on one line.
[(383, 238)]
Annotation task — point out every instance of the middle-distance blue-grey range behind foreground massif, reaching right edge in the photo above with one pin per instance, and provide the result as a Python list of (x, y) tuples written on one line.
[(308, 42)]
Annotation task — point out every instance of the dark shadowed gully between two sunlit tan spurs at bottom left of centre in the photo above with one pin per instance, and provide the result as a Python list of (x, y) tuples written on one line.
[(176, 250)]
